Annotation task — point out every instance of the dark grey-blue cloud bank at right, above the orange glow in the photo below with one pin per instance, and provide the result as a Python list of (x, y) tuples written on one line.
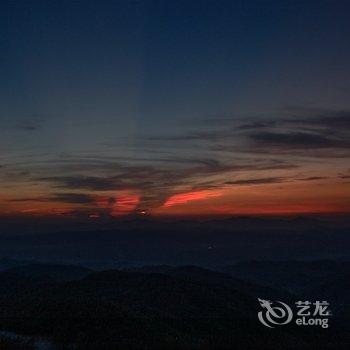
[(300, 131)]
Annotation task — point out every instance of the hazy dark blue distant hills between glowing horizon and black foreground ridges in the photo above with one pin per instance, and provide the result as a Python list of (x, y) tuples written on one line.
[(208, 243)]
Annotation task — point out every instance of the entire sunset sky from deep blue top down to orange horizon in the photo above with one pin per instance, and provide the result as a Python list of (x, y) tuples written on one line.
[(174, 108)]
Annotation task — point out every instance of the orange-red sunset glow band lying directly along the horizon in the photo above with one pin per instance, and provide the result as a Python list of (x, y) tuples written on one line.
[(290, 198)]
